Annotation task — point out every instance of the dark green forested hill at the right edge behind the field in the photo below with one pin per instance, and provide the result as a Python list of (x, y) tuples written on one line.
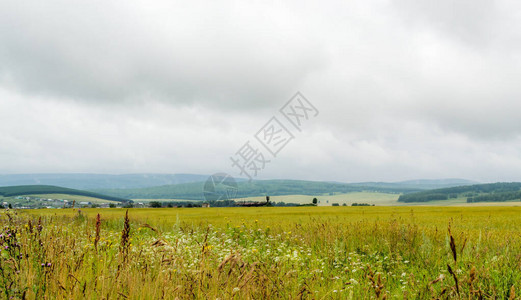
[(490, 192)]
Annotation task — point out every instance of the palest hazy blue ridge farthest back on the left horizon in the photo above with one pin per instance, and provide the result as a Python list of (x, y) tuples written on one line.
[(99, 181)]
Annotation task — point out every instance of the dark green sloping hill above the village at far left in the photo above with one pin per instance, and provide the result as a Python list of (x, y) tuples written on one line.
[(22, 190)]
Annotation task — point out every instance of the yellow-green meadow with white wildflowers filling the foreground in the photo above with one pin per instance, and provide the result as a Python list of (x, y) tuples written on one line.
[(262, 253)]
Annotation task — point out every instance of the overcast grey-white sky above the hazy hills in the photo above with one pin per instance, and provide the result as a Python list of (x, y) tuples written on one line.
[(405, 89)]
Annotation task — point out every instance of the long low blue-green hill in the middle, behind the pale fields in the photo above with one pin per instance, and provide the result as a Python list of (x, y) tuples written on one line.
[(194, 191)]
